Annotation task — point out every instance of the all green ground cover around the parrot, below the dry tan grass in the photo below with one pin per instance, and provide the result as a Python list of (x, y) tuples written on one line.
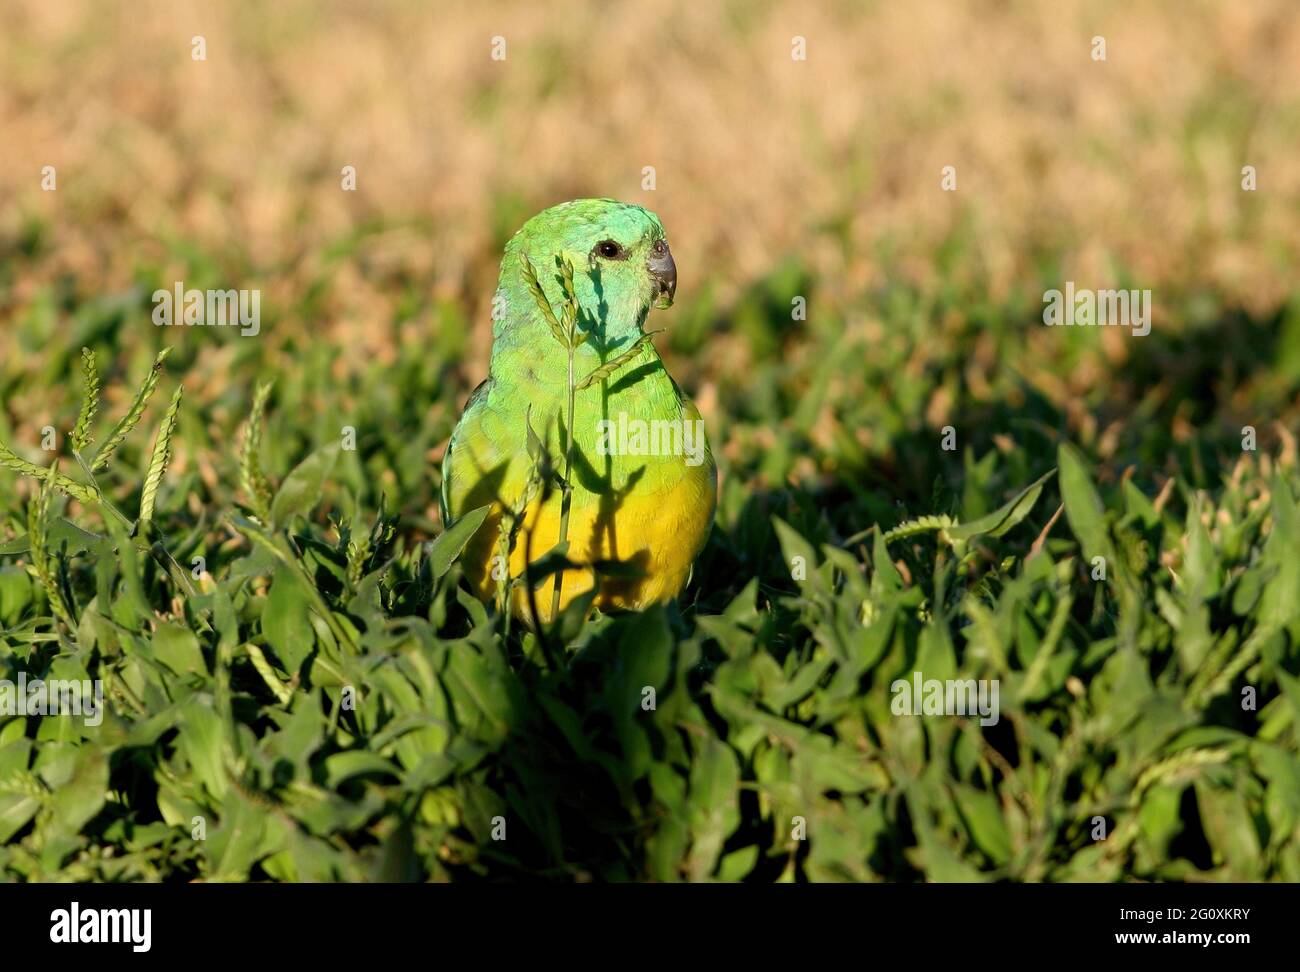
[(839, 563)]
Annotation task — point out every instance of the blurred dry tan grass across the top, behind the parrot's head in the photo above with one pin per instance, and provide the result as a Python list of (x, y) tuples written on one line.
[(1128, 166)]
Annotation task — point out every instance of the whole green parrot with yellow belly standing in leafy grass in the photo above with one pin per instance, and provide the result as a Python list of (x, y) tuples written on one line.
[(644, 481)]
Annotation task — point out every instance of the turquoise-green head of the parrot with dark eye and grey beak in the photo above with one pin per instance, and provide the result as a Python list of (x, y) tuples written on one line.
[(621, 258)]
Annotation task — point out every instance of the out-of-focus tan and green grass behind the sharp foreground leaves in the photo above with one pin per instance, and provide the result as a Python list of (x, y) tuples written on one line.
[(775, 177)]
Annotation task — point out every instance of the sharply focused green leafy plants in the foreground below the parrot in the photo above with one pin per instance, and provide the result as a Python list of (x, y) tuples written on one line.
[(335, 706)]
